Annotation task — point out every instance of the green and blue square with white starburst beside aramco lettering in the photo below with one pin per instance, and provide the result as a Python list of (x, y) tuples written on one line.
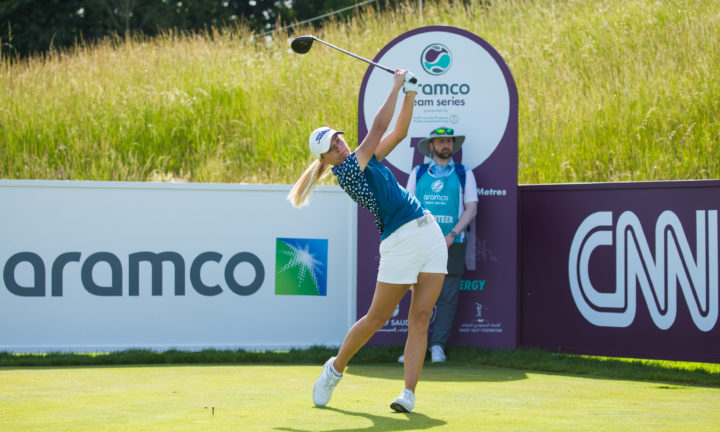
[(301, 266)]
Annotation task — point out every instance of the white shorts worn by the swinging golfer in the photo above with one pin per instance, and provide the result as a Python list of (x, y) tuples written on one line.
[(416, 247)]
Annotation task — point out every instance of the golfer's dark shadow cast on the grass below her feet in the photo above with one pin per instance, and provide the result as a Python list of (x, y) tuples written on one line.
[(393, 422)]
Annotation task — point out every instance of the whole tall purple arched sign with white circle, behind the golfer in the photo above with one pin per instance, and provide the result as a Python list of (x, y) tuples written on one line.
[(464, 84)]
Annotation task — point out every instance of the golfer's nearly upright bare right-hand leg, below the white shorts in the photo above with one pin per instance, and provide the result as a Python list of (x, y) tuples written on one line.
[(425, 293)]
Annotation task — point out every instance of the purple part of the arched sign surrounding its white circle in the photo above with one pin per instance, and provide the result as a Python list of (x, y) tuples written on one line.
[(487, 311)]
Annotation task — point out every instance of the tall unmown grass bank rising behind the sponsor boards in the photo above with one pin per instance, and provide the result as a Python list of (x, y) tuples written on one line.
[(609, 90)]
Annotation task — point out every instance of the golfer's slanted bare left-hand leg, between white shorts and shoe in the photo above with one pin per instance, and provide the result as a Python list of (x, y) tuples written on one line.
[(385, 299)]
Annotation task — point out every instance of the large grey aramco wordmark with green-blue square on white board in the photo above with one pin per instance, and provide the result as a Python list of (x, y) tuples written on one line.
[(301, 269)]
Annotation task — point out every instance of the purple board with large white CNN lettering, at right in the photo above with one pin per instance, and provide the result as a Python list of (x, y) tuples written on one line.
[(551, 317)]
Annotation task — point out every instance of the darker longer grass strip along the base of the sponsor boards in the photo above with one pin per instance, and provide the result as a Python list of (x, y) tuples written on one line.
[(692, 373)]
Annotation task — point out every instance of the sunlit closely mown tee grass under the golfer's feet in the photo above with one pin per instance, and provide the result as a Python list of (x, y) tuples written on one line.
[(257, 397)]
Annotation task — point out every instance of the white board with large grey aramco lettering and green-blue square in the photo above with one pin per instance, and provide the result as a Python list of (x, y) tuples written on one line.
[(102, 266)]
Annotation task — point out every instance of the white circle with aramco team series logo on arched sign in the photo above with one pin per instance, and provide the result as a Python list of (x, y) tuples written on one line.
[(461, 86)]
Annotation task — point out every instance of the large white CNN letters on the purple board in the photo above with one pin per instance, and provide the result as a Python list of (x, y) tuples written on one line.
[(673, 268)]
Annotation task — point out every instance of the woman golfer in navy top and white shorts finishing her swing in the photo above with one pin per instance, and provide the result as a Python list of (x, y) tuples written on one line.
[(412, 248)]
